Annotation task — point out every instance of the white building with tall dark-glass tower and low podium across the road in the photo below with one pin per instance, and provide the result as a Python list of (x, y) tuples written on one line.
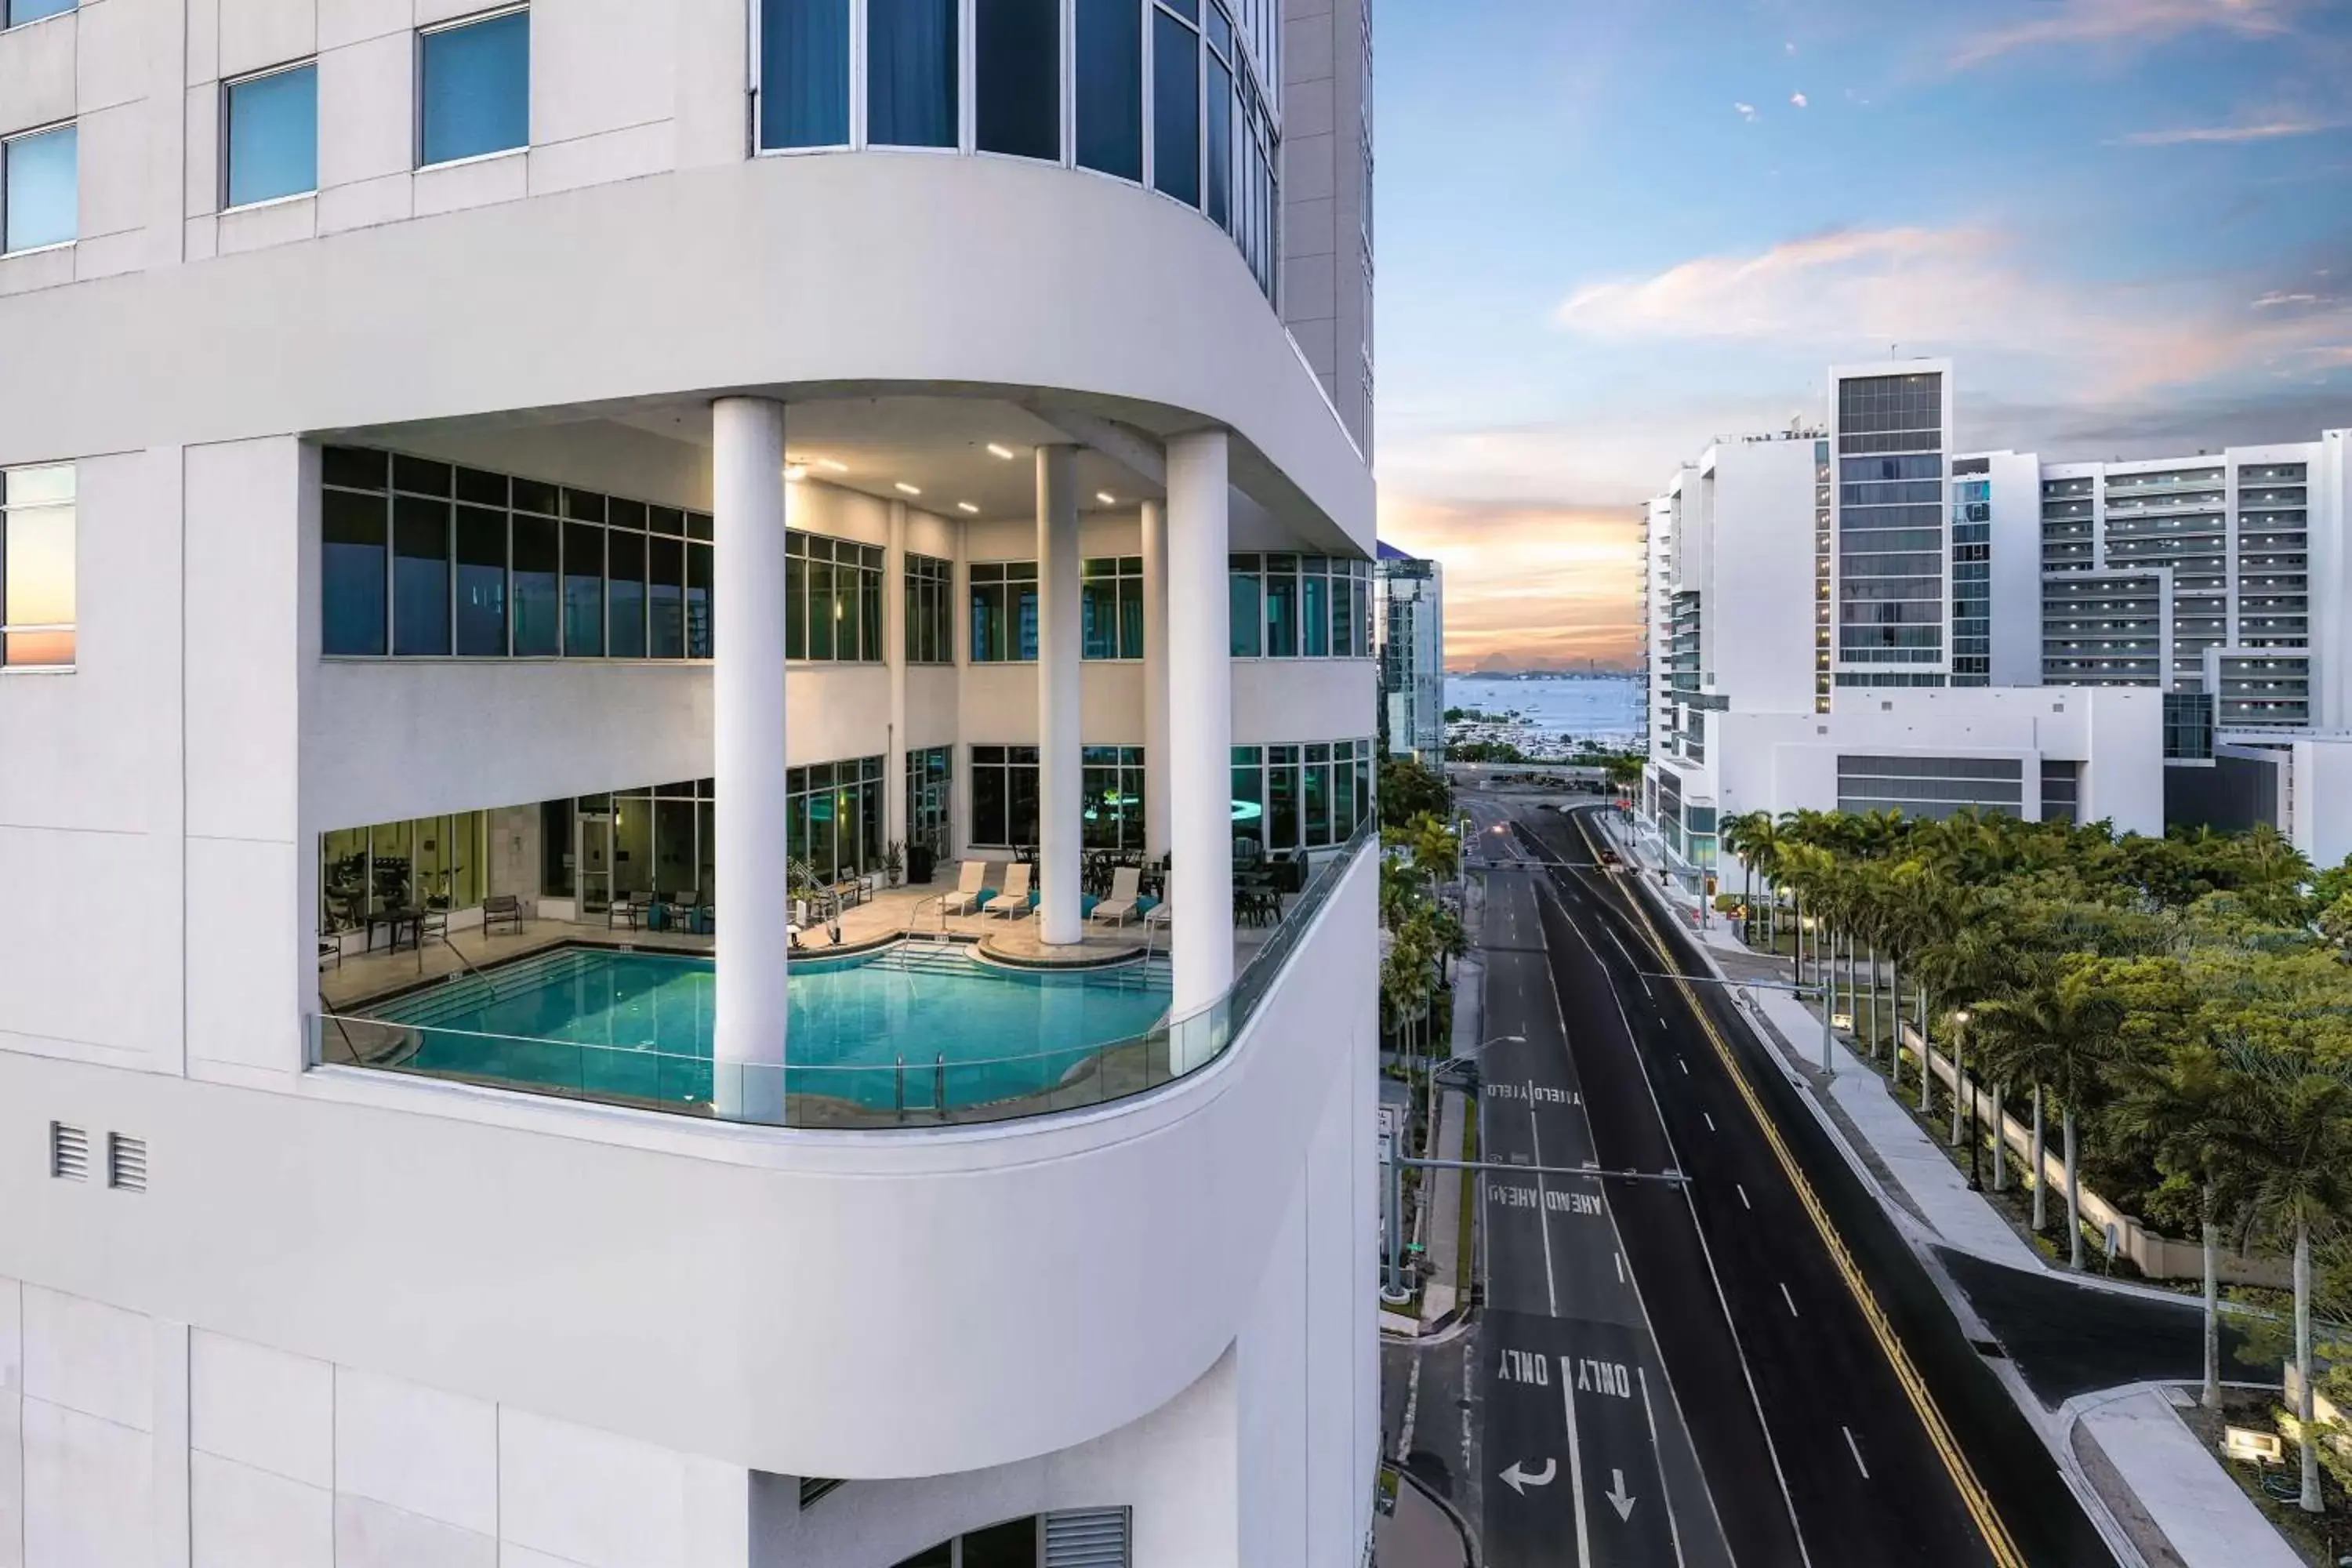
[(1826, 634)]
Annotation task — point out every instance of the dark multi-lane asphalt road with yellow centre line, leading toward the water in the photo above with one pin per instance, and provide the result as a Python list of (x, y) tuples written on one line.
[(1836, 1407)]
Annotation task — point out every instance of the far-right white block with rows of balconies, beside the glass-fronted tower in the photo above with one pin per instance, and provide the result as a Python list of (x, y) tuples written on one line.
[(2214, 579)]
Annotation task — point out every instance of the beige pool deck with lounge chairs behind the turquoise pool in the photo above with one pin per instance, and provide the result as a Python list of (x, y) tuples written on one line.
[(883, 918)]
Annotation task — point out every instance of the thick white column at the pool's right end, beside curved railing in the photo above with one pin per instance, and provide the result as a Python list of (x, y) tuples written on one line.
[(1198, 760)]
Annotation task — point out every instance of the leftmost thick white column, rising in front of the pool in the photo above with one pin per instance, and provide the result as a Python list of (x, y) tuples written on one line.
[(747, 699)]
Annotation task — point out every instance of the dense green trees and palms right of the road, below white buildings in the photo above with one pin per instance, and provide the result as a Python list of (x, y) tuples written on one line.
[(2179, 1010)]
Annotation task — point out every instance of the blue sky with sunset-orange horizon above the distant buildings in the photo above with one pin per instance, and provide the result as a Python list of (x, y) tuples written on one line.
[(1615, 232)]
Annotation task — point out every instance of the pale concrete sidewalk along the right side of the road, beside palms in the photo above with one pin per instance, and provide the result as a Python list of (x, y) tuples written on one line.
[(2149, 1470)]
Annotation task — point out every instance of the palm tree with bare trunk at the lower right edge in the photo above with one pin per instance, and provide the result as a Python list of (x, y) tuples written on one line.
[(2297, 1146)]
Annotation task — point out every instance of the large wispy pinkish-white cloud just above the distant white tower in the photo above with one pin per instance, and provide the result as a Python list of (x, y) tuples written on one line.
[(1953, 290)]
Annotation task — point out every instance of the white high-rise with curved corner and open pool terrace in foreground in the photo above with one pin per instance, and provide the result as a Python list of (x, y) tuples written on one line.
[(559, 462)]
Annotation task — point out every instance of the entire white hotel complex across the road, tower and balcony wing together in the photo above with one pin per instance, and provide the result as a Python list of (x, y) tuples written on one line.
[(1862, 617)]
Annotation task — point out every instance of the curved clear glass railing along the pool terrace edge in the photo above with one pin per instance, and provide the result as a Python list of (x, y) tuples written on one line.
[(923, 1087)]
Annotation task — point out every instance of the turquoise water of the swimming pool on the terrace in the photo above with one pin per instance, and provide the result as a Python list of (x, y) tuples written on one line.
[(639, 1026)]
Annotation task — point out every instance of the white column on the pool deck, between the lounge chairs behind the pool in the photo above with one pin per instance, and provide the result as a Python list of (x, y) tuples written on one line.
[(1060, 779)]
